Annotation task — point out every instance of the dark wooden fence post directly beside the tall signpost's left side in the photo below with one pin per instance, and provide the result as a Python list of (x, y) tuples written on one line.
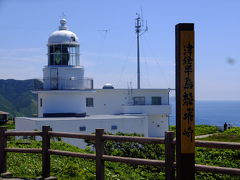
[(169, 155)]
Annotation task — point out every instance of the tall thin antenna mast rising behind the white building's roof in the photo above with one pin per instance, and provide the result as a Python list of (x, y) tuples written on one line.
[(139, 28)]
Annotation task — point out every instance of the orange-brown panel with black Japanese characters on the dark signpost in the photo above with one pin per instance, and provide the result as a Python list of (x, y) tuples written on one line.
[(187, 91)]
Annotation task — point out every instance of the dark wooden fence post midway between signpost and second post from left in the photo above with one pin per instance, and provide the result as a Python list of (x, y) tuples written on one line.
[(99, 154)]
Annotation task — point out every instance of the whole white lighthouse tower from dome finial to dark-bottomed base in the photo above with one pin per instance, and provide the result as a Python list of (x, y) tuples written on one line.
[(63, 75)]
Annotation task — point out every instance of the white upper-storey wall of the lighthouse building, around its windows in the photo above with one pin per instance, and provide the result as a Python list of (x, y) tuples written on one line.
[(106, 101)]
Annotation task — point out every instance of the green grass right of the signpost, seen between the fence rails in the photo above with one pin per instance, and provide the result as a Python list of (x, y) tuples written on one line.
[(219, 157)]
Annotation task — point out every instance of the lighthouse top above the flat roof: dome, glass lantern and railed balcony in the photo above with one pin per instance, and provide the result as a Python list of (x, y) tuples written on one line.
[(63, 70)]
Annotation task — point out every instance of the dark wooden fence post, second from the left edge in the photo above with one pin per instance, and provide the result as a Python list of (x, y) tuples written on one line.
[(45, 153)]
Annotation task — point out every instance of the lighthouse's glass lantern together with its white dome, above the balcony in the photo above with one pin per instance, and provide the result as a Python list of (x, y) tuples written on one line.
[(63, 47)]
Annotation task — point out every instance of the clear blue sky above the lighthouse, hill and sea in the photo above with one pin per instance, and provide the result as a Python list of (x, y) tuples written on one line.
[(111, 57)]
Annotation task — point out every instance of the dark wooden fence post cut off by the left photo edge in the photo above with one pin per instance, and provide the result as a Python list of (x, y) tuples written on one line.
[(3, 144)]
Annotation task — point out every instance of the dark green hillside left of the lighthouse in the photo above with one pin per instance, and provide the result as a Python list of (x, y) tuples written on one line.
[(16, 96)]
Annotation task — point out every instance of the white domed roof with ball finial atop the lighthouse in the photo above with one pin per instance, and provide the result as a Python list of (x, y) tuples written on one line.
[(63, 36)]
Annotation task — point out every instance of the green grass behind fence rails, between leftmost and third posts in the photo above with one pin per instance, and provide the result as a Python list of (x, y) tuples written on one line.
[(29, 165)]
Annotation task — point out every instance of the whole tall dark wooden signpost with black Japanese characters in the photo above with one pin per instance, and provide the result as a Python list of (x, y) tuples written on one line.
[(185, 101)]
